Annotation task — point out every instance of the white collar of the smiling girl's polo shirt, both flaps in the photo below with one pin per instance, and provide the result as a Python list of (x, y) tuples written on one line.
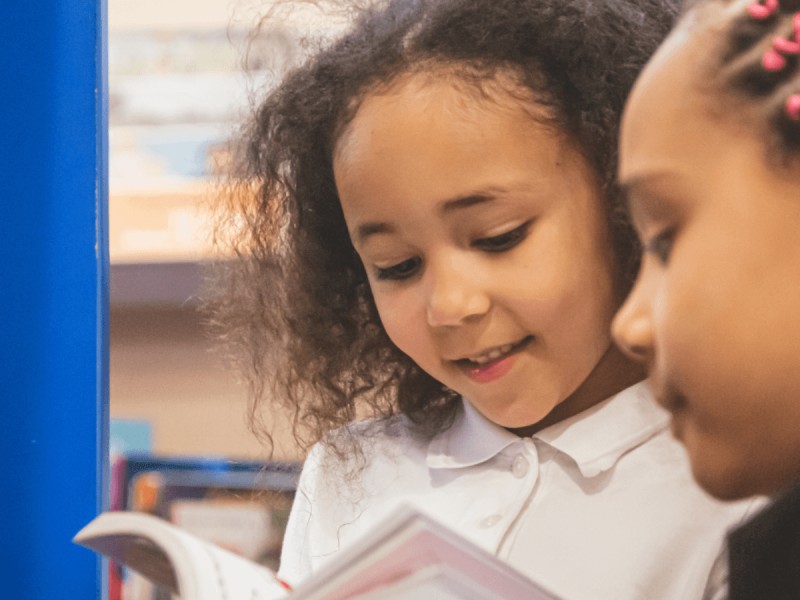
[(595, 438)]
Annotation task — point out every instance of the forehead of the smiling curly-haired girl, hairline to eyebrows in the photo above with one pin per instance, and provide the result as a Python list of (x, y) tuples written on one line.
[(426, 145)]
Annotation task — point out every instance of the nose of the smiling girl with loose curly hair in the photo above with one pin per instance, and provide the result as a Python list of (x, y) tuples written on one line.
[(455, 293)]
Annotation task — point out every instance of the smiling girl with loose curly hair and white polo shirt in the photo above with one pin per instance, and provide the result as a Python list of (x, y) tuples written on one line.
[(436, 249)]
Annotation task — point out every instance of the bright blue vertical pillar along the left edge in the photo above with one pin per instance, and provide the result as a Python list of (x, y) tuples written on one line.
[(53, 294)]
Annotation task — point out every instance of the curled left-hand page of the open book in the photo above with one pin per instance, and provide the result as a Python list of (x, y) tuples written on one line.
[(186, 565)]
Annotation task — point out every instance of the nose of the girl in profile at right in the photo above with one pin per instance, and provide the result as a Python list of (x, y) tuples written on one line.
[(632, 327)]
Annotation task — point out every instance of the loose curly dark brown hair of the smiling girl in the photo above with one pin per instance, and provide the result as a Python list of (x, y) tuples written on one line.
[(297, 299)]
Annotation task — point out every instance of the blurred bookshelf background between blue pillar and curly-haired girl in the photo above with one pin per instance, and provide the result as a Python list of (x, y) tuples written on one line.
[(183, 76)]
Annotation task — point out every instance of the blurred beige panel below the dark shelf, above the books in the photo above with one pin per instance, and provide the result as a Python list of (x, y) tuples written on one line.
[(165, 370)]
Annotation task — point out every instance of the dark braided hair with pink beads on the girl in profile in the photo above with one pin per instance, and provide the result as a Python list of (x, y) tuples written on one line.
[(737, 67)]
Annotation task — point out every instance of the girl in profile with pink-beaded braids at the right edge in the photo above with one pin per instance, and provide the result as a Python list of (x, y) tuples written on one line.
[(710, 159)]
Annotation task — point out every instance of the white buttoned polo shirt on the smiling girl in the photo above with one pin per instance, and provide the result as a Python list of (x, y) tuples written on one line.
[(600, 506)]
